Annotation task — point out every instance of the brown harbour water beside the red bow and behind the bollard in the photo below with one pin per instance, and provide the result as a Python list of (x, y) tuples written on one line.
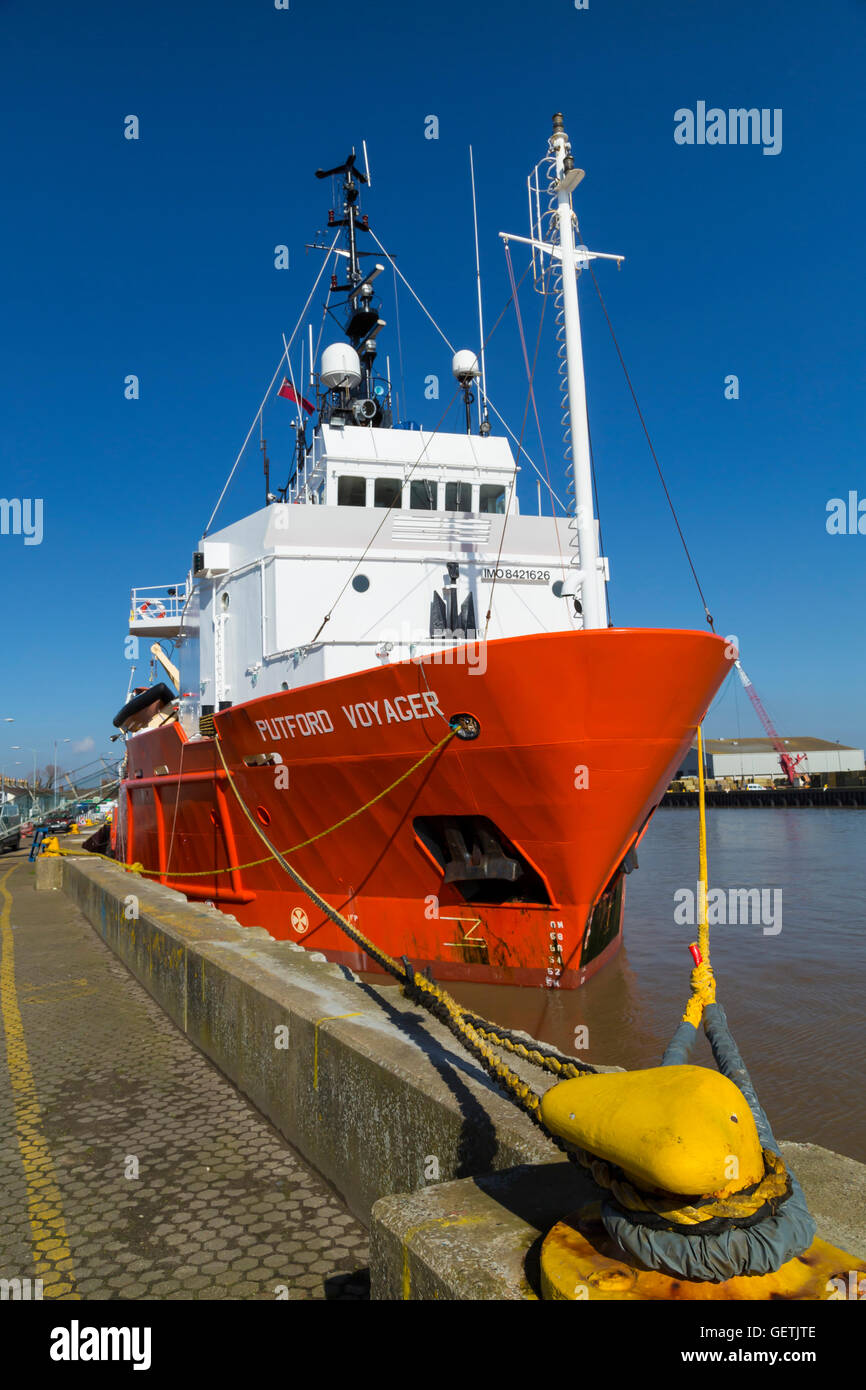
[(794, 1000)]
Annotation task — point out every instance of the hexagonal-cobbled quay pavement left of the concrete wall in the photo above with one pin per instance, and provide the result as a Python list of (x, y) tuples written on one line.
[(130, 1167)]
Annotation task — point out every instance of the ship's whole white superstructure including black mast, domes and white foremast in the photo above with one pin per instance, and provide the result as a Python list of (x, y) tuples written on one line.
[(389, 543)]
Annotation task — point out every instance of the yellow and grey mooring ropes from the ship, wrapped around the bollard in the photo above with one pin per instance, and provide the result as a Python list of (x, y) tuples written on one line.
[(718, 1234)]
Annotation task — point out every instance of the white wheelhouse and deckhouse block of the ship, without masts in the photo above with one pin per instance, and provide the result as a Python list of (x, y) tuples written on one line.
[(397, 546)]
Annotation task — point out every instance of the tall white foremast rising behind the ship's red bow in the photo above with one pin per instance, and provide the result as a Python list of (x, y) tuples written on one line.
[(593, 566)]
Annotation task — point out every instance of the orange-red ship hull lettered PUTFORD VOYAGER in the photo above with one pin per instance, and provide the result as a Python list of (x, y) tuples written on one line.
[(580, 737)]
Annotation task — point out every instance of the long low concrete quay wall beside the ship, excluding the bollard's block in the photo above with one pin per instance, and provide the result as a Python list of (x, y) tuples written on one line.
[(372, 1092)]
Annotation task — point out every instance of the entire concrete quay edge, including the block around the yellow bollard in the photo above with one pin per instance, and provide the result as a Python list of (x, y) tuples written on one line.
[(457, 1185)]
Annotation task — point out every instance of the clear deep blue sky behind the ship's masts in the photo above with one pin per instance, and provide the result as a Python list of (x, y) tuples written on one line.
[(156, 258)]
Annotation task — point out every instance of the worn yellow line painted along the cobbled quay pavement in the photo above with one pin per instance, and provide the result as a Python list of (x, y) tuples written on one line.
[(52, 1256)]
